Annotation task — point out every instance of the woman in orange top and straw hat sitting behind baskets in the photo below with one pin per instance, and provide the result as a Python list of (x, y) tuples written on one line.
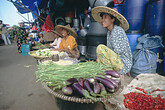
[(68, 43)]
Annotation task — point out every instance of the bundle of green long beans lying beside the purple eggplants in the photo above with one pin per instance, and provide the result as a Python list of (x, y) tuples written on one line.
[(56, 75)]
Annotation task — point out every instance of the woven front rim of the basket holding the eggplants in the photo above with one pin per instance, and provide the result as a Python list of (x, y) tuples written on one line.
[(59, 94)]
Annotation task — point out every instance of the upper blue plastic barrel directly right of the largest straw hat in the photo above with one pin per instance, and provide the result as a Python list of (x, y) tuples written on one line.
[(134, 12)]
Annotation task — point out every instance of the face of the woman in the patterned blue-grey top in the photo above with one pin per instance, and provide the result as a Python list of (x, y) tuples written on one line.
[(107, 21)]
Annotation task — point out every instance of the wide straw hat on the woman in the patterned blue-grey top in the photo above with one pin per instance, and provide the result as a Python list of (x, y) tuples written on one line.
[(103, 9)]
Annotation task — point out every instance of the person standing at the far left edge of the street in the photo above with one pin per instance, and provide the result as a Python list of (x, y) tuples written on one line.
[(4, 33)]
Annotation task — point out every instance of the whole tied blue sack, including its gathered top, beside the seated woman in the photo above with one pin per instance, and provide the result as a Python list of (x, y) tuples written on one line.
[(144, 59)]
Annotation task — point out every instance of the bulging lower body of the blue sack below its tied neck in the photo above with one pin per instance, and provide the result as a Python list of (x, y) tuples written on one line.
[(144, 61)]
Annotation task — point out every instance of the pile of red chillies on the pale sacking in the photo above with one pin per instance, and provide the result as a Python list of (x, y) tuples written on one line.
[(144, 101)]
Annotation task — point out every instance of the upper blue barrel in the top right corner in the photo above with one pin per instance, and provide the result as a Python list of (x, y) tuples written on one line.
[(155, 18)]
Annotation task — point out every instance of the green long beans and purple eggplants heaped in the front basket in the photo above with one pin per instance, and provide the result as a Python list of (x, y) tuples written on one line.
[(87, 79)]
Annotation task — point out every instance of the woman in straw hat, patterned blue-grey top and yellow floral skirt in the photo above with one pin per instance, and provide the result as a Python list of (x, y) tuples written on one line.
[(117, 54)]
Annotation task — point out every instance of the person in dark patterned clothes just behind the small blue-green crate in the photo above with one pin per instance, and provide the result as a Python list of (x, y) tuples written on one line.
[(21, 35)]
